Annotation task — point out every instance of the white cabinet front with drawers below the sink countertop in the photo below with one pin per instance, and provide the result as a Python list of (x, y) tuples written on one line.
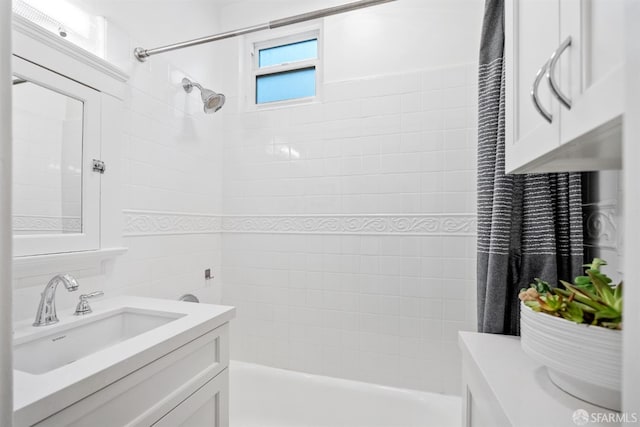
[(190, 383)]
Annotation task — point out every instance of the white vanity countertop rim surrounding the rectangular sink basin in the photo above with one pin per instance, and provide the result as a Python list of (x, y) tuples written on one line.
[(37, 396)]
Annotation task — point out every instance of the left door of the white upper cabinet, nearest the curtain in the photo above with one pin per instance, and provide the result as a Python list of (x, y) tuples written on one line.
[(532, 30)]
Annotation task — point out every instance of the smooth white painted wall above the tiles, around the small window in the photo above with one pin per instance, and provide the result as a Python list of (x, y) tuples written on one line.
[(407, 35)]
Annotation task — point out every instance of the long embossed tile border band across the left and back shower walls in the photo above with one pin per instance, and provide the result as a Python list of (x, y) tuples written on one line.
[(142, 223)]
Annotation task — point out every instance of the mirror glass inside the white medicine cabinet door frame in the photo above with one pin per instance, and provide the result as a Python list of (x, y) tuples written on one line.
[(47, 160)]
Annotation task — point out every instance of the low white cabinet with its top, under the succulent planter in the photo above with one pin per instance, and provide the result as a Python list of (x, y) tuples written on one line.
[(503, 387)]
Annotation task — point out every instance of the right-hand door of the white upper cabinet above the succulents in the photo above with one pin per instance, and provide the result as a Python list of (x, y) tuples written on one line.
[(594, 77)]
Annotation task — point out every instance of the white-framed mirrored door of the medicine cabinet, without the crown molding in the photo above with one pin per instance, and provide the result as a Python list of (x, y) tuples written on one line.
[(56, 135)]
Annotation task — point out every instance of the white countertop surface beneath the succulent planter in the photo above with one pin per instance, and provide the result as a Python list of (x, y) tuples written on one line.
[(520, 386)]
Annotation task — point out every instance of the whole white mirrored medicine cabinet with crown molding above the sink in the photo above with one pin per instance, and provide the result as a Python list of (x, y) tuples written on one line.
[(68, 99)]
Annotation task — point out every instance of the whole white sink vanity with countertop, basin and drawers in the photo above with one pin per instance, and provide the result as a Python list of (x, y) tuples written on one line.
[(157, 362)]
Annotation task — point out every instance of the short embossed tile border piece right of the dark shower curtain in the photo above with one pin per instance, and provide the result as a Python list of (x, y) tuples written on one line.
[(601, 225)]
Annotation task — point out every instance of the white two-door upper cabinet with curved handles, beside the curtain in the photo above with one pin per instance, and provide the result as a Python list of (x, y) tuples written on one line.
[(569, 56)]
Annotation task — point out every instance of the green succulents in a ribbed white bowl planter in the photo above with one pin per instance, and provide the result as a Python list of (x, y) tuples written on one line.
[(575, 331)]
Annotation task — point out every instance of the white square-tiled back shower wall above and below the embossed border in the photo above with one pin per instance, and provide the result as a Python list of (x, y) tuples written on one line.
[(379, 308)]
